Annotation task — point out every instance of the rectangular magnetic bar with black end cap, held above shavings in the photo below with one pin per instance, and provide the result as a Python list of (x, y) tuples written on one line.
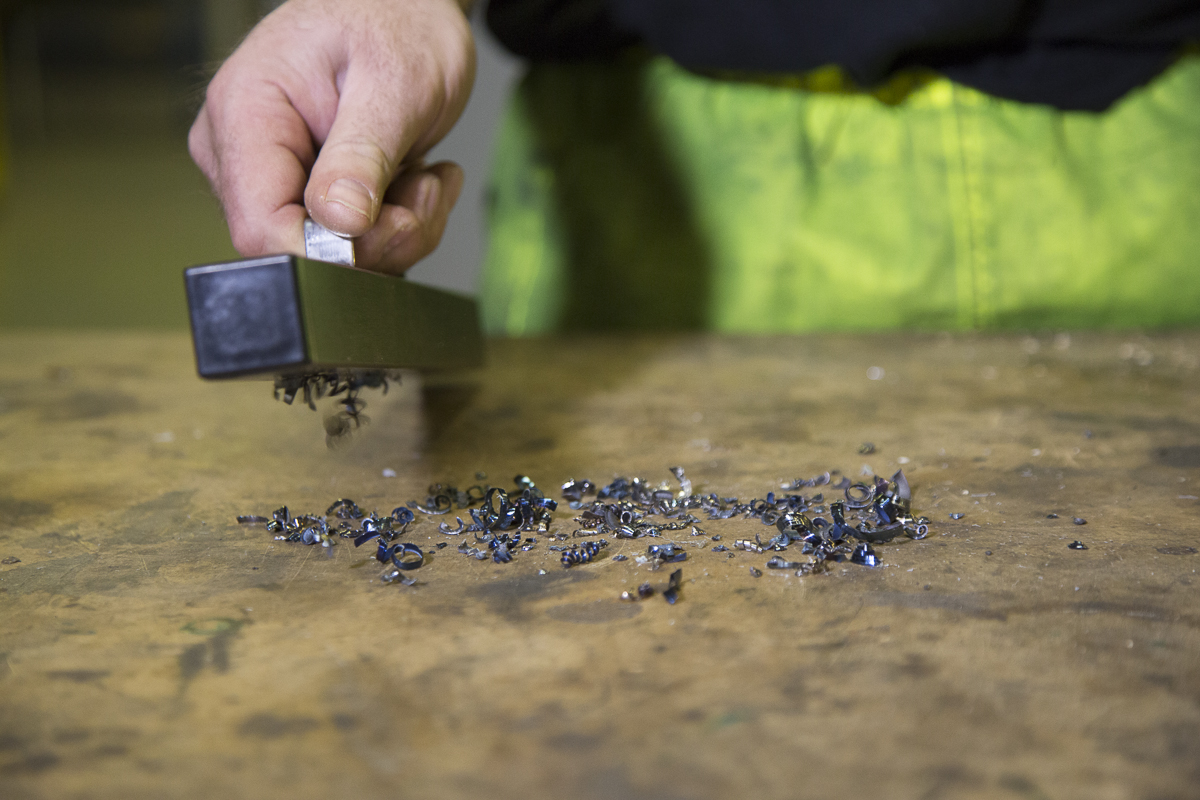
[(286, 315)]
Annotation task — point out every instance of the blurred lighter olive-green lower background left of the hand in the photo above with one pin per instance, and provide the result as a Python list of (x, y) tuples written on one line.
[(98, 236)]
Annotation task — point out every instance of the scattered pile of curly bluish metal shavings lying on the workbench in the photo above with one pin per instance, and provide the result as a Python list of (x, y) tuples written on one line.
[(508, 522)]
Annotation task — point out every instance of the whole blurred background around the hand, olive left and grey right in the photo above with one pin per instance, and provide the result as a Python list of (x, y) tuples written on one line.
[(101, 208)]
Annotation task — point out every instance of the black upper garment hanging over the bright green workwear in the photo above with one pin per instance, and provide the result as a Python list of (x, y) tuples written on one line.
[(1073, 55)]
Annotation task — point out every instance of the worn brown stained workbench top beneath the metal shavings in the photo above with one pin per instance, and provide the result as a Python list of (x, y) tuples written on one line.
[(152, 647)]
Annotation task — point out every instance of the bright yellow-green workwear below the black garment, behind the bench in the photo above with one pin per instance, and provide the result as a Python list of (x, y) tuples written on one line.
[(641, 196)]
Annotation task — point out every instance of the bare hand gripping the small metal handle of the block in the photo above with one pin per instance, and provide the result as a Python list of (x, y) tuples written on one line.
[(326, 111)]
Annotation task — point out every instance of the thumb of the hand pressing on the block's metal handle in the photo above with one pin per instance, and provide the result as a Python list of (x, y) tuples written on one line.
[(362, 155)]
